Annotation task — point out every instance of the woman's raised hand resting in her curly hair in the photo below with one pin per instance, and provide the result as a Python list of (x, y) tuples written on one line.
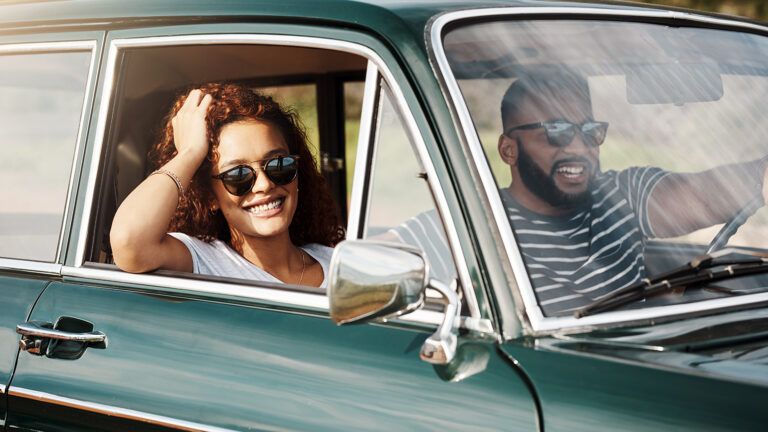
[(189, 127)]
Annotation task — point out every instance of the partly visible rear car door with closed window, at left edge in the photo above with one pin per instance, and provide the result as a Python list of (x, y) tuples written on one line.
[(44, 94)]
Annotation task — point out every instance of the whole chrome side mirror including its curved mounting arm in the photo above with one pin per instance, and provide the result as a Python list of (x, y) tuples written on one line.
[(374, 281)]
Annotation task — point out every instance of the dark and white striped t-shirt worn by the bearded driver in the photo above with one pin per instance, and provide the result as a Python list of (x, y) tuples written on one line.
[(576, 259)]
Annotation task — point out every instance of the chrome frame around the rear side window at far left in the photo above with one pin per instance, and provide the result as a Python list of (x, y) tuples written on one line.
[(78, 42)]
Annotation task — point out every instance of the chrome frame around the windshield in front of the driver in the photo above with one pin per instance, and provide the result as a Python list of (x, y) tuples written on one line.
[(519, 298)]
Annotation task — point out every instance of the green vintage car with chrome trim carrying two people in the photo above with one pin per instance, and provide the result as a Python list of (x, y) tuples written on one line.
[(624, 288)]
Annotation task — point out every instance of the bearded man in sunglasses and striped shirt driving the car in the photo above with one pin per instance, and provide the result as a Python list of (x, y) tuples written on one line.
[(583, 231)]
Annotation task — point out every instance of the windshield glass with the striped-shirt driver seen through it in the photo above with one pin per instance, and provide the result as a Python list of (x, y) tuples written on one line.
[(620, 150)]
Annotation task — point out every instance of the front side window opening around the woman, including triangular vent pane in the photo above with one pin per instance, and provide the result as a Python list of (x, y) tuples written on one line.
[(326, 89)]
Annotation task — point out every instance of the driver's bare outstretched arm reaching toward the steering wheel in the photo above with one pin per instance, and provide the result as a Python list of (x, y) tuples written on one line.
[(683, 203)]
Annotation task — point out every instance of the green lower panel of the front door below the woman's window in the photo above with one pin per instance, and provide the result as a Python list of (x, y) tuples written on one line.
[(248, 367)]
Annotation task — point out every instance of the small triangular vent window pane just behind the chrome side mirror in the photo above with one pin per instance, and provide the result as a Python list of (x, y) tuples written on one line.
[(401, 207)]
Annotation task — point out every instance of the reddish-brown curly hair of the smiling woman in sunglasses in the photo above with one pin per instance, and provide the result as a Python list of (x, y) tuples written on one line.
[(316, 219)]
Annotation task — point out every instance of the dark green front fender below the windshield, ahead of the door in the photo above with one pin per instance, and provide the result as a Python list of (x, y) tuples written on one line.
[(590, 388)]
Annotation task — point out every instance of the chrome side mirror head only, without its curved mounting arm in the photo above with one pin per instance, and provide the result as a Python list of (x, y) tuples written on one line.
[(372, 280)]
